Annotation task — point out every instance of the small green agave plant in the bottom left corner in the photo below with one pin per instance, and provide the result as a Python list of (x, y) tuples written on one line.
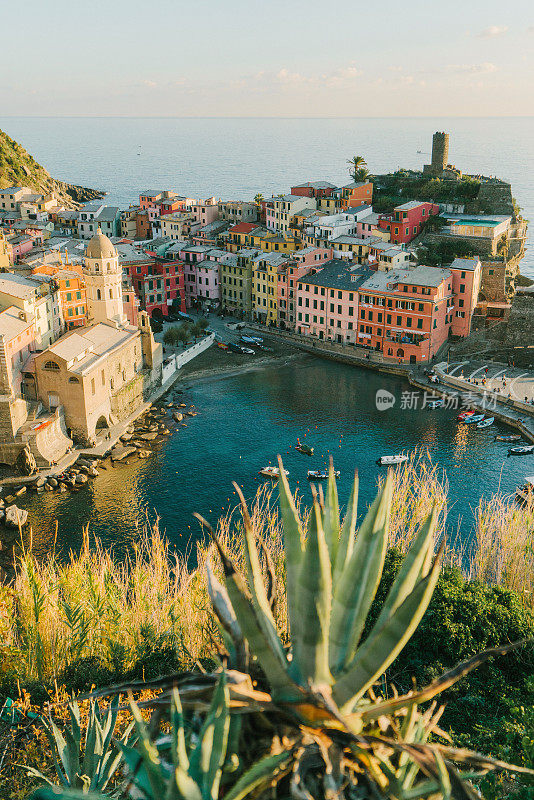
[(87, 765)]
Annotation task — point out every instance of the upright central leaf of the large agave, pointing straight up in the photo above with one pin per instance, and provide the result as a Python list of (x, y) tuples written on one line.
[(315, 599)]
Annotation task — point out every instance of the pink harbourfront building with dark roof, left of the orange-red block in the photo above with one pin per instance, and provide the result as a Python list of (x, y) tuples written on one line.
[(327, 301)]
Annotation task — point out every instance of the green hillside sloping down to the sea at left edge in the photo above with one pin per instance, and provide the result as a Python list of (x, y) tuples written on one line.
[(19, 168)]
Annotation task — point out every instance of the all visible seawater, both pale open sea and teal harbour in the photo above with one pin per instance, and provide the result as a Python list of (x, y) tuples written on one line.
[(245, 419)]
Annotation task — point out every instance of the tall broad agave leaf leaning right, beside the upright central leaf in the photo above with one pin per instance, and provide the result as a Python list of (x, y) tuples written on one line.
[(359, 581)]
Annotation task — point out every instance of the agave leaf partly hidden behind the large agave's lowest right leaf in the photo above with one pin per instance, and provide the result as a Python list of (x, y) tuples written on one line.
[(415, 566)]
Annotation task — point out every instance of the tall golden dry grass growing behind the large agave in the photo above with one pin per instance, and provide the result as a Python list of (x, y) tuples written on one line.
[(92, 605)]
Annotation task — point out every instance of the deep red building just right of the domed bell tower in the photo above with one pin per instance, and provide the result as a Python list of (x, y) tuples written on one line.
[(157, 282)]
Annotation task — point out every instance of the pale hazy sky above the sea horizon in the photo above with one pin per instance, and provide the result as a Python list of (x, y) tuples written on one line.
[(267, 58)]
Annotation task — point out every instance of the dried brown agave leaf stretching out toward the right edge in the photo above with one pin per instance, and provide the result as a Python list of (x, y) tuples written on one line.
[(440, 684)]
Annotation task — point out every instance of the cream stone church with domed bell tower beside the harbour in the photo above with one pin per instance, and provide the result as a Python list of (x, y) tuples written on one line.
[(90, 378)]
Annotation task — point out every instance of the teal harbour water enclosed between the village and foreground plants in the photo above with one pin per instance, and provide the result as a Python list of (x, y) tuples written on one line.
[(244, 422)]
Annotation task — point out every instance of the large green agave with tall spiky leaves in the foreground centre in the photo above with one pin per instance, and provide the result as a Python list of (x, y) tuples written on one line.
[(333, 574)]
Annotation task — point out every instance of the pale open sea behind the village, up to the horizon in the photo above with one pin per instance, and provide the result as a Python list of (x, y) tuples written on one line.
[(236, 158)]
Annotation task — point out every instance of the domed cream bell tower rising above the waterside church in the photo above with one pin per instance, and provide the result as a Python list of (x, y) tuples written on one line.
[(103, 281)]
